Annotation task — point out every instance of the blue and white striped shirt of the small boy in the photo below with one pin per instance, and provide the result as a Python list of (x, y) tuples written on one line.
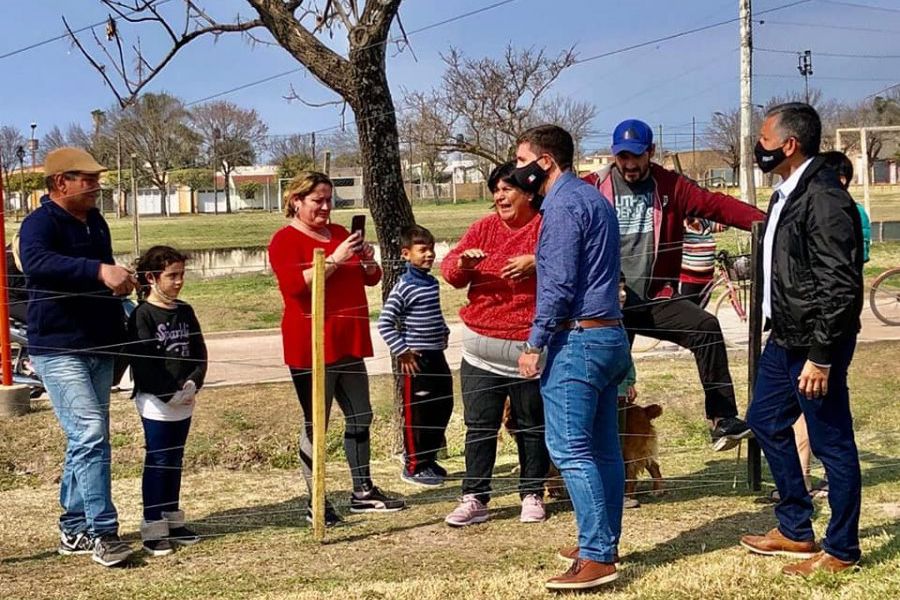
[(411, 318)]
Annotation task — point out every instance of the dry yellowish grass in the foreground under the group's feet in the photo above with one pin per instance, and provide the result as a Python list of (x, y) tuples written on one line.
[(243, 493)]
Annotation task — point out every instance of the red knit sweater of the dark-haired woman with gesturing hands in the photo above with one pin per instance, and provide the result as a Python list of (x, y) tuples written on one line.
[(498, 308)]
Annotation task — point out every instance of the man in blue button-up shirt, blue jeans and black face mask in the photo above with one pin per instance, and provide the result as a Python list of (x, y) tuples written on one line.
[(578, 321)]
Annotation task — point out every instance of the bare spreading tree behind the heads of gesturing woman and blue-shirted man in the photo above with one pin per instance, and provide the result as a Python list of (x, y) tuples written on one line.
[(483, 104)]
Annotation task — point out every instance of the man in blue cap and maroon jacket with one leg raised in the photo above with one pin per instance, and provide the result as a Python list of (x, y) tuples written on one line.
[(651, 203)]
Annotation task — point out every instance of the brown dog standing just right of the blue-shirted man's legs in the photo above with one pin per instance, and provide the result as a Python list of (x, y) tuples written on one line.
[(639, 445)]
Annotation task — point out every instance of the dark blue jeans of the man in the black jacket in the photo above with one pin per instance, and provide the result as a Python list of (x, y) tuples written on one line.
[(776, 405)]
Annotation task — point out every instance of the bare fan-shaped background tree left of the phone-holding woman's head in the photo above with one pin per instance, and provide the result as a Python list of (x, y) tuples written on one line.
[(232, 137)]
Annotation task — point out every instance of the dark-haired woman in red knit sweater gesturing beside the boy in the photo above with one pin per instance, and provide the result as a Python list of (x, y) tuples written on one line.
[(495, 260)]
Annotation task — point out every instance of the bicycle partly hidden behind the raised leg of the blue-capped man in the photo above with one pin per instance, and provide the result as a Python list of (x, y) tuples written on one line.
[(732, 277)]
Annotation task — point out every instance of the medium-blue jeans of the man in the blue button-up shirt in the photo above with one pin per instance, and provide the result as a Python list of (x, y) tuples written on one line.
[(584, 367)]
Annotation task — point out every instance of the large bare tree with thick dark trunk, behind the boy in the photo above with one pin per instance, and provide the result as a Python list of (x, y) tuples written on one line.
[(358, 78)]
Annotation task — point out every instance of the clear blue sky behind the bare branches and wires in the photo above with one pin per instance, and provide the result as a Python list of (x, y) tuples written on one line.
[(665, 84)]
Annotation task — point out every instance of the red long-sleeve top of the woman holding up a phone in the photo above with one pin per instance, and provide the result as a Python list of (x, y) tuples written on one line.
[(346, 308)]
